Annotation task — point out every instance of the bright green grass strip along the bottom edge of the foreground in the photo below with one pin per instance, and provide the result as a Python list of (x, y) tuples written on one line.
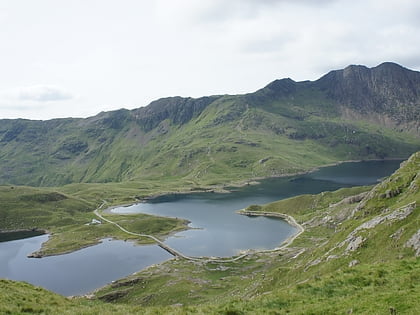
[(364, 289)]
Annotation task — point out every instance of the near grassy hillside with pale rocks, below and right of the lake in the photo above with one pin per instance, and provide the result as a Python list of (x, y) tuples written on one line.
[(358, 255)]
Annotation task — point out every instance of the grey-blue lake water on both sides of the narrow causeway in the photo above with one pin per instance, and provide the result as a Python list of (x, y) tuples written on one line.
[(220, 231)]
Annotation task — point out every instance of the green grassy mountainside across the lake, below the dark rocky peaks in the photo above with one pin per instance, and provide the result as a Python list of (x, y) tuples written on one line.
[(233, 138)]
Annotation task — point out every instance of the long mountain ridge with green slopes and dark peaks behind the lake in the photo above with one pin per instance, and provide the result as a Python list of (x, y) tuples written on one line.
[(283, 128)]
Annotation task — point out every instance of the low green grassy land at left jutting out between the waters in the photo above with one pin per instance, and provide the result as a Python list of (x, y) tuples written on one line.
[(66, 217)]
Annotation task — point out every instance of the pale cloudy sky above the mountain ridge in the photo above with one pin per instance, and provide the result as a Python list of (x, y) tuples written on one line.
[(76, 58)]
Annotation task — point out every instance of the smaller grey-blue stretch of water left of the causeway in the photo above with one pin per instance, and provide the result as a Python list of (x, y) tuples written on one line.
[(79, 272)]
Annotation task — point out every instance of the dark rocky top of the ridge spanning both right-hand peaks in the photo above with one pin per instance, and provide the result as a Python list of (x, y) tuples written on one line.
[(388, 94)]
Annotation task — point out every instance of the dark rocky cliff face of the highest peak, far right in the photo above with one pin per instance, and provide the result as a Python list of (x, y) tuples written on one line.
[(387, 89)]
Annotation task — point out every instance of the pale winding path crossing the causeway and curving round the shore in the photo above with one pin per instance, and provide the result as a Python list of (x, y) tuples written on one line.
[(176, 253)]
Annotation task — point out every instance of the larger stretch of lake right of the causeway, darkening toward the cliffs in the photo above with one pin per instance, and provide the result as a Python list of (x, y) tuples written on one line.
[(221, 232)]
